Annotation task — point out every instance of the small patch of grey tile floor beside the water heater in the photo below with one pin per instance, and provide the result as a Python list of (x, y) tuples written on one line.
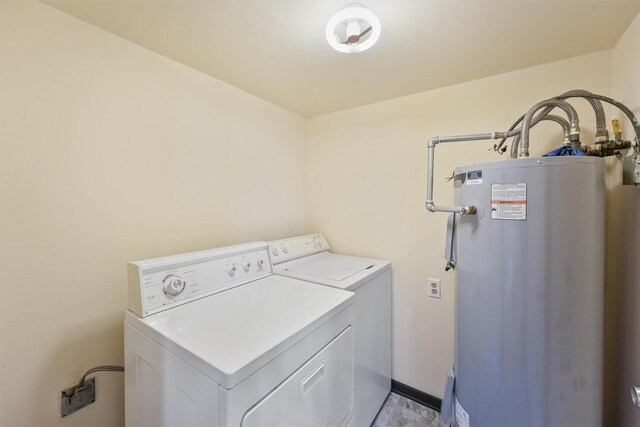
[(399, 411)]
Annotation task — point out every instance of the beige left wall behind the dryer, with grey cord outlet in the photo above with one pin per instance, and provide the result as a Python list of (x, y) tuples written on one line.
[(111, 153)]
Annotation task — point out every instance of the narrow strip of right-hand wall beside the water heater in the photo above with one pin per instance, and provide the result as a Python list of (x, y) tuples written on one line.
[(623, 274)]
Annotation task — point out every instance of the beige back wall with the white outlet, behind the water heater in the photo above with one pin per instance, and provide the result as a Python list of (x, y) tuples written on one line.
[(366, 172)]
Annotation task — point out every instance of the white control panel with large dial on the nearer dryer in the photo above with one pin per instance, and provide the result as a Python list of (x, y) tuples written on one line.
[(162, 283)]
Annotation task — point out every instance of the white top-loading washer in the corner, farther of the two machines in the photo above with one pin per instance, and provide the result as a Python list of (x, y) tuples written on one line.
[(308, 258)]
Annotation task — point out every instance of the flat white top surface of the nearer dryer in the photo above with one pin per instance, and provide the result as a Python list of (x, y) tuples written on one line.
[(230, 335)]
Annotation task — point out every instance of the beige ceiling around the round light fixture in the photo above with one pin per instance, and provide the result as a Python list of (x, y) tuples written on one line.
[(276, 49)]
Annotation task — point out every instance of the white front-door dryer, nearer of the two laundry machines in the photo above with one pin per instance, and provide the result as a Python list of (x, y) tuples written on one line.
[(214, 338)]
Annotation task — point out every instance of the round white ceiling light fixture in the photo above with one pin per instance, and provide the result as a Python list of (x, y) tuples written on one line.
[(358, 26)]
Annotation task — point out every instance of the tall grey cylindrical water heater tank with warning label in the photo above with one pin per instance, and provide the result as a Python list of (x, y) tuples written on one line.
[(530, 293)]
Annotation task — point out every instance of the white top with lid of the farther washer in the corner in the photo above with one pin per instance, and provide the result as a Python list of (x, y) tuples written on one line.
[(338, 271)]
